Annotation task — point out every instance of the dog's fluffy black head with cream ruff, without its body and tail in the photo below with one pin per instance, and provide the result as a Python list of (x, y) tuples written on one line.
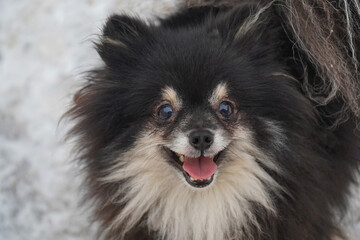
[(183, 119)]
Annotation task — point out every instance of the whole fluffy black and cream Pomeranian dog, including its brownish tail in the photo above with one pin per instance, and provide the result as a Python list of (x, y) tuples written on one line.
[(223, 122)]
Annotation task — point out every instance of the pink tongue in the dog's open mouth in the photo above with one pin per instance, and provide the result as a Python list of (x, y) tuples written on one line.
[(200, 168)]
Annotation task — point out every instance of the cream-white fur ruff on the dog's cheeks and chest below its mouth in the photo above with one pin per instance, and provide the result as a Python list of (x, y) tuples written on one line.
[(178, 211)]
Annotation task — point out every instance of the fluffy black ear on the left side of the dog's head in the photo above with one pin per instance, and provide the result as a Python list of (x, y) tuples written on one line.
[(122, 40)]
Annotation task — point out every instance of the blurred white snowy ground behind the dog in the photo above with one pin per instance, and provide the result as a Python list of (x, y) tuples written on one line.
[(44, 48)]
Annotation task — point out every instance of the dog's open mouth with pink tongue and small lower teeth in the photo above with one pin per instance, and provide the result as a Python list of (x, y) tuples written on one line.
[(198, 172)]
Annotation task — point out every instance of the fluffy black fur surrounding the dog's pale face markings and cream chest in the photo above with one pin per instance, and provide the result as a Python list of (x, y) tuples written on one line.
[(193, 51)]
